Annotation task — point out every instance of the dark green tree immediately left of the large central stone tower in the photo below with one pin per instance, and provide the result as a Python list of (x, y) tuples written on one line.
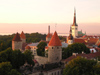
[(41, 48)]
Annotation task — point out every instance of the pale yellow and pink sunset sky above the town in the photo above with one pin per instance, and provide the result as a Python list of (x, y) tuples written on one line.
[(35, 15)]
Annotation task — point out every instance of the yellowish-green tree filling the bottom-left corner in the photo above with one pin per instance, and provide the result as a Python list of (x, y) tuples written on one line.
[(6, 69)]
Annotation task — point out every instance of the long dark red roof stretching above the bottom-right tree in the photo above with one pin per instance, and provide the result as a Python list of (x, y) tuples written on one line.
[(88, 56)]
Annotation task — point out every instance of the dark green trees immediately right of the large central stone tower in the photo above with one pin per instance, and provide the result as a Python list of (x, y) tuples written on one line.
[(74, 48)]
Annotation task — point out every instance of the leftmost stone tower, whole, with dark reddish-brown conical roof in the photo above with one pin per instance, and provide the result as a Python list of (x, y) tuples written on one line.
[(16, 42)]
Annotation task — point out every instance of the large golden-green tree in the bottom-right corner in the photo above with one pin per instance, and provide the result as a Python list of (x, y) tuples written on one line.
[(80, 66)]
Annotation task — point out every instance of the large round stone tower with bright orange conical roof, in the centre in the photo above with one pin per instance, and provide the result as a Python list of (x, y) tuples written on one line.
[(54, 49)]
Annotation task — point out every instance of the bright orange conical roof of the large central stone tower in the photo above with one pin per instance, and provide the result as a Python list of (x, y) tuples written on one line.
[(55, 41)]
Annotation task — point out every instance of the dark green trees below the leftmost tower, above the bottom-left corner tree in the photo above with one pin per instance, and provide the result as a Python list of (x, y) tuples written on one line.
[(16, 57)]
